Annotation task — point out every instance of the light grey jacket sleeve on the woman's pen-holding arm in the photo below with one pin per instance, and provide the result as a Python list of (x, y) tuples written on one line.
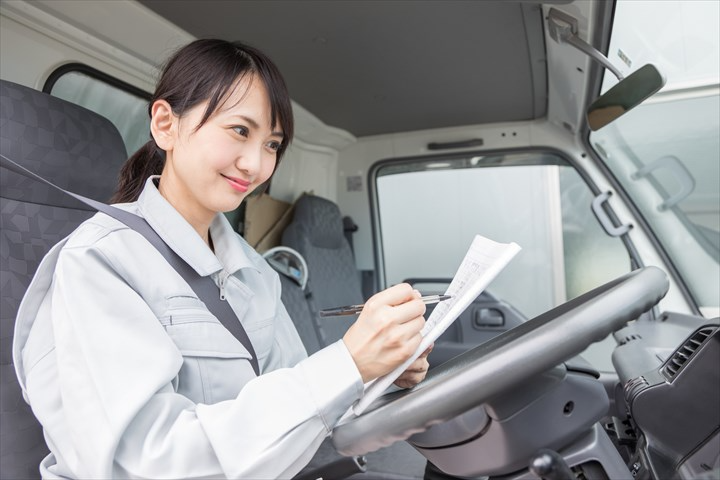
[(116, 368)]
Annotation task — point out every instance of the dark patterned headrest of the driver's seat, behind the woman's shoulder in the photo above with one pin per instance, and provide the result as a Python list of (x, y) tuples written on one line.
[(73, 147)]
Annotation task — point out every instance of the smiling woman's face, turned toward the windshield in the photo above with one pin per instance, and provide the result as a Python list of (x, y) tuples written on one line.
[(212, 169)]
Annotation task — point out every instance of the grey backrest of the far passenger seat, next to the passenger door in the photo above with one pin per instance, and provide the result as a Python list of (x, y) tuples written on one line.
[(316, 231)]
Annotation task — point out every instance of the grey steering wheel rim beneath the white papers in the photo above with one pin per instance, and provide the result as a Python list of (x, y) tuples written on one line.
[(502, 363)]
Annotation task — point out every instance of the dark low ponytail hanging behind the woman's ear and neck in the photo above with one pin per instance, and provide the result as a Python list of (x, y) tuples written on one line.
[(148, 160)]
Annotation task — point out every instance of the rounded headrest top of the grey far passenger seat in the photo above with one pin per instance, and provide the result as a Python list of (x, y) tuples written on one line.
[(320, 220)]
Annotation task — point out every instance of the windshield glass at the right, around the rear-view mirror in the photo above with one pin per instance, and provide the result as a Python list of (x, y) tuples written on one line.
[(666, 152)]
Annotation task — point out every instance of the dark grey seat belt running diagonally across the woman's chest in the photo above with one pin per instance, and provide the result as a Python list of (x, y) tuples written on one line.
[(204, 287)]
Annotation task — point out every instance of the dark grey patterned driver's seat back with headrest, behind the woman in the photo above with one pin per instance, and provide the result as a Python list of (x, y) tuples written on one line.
[(77, 150)]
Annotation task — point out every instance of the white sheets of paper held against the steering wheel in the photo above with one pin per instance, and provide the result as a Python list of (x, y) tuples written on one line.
[(483, 261)]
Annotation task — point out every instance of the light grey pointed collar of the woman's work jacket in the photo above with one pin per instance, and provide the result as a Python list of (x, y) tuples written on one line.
[(230, 251)]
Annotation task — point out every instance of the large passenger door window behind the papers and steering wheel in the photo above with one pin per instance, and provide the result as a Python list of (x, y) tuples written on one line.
[(428, 210)]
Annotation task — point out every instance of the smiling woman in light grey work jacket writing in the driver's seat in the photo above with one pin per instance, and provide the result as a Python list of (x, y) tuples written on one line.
[(128, 372)]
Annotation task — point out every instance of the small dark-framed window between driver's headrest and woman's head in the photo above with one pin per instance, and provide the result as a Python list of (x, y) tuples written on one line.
[(124, 105)]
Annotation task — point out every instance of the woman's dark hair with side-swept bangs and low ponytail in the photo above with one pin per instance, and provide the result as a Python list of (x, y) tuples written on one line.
[(205, 70)]
